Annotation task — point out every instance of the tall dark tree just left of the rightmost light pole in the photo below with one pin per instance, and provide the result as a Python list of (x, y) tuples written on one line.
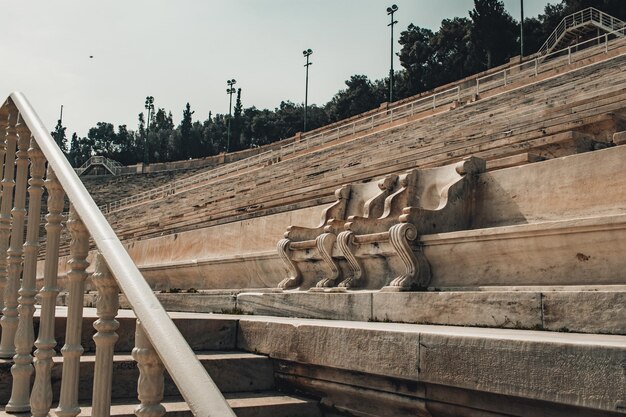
[(494, 31)]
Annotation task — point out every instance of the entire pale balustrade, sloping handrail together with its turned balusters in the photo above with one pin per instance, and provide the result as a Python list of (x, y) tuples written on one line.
[(24, 143)]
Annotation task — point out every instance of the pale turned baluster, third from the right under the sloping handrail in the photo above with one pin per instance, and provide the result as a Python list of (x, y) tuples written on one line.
[(72, 350)]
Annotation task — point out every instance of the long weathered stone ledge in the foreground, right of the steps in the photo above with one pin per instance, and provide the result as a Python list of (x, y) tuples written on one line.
[(572, 369)]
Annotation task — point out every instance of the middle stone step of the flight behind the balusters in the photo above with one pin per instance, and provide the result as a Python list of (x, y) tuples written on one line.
[(231, 371)]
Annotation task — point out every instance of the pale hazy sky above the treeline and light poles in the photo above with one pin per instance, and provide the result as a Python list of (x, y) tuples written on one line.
[(100, 59)]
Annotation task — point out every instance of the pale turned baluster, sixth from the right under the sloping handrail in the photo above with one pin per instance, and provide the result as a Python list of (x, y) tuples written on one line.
[(14, 259)]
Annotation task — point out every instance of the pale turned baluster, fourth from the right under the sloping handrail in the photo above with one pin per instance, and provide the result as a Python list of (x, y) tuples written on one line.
[(41, 397)]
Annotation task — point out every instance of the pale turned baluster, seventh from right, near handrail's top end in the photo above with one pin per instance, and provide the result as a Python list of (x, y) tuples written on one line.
[(7, 198)]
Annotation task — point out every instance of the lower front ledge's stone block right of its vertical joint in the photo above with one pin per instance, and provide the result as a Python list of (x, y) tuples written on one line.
[(586, 373)]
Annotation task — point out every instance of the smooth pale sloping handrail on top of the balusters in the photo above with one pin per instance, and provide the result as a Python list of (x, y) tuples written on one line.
[(194, 383)]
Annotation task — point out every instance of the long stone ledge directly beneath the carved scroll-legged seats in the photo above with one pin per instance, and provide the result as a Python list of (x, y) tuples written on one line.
[(598, 309)]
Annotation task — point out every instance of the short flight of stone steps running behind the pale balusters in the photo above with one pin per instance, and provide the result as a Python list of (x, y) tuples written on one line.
[(246, 379)]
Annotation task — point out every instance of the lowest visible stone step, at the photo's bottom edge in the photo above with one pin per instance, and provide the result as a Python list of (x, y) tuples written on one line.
[(245, 404)]
